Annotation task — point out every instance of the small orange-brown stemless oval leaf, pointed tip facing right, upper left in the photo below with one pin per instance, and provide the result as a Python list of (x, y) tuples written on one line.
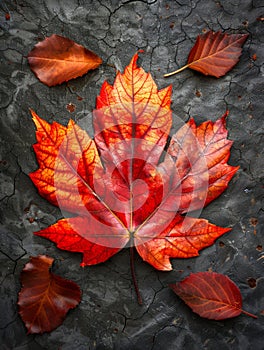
[(58, 59)]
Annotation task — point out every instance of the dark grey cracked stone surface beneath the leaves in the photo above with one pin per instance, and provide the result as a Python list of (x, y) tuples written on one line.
[(108, 316)]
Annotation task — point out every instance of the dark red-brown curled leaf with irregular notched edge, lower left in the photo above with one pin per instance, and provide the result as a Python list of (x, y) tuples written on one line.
[(45, 298)]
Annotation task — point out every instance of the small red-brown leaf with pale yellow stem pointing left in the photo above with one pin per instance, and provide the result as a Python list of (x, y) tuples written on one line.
[(214, 53)]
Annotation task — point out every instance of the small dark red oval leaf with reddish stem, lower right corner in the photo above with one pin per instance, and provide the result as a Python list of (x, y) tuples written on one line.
[(210, 295)]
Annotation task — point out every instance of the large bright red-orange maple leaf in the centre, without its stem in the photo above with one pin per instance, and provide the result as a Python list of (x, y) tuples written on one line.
[(132, 184)]
